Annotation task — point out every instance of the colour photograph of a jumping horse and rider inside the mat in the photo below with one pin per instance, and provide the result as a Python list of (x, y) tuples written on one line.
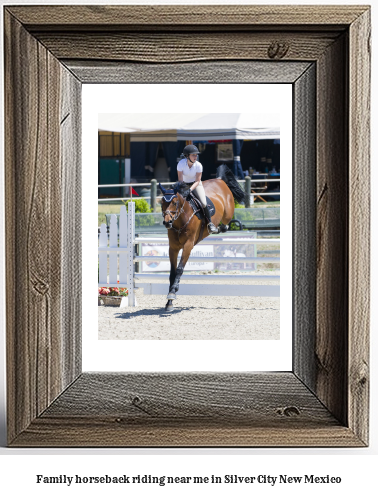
[(189, 225)]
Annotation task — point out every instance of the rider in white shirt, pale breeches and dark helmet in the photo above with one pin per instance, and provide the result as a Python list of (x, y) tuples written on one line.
[(190, 170)]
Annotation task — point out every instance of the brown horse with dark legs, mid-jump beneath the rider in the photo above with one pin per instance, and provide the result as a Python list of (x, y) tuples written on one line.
[(185, 230)]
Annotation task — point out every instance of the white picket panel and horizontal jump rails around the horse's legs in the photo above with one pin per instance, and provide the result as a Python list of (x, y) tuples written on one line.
[(116, 253)]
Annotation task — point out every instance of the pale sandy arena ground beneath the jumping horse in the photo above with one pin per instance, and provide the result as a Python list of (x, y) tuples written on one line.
[(194, 317)]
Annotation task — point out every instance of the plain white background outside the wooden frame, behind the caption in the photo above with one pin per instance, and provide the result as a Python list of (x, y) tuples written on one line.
[(356, 466)]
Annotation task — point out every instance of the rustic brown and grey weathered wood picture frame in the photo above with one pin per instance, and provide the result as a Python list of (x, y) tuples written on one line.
[(49, 52)]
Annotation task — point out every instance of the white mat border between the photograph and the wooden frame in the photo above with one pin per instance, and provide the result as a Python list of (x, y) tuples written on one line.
[(200, 355)]
